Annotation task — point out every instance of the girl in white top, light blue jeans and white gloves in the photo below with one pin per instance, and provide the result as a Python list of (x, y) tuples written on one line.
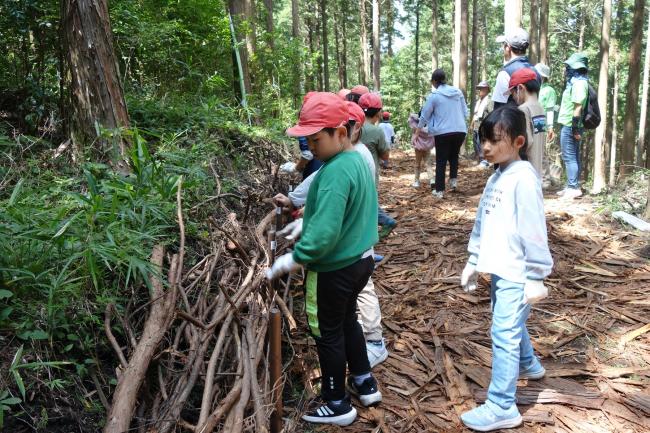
[(508, 241)]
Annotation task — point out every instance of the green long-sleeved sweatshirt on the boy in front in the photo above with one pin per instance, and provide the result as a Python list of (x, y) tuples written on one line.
[(340, 220)]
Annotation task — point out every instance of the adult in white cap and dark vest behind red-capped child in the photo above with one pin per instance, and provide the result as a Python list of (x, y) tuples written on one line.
[(515, 43)]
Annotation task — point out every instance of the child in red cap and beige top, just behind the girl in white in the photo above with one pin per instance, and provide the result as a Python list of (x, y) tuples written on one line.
[(524, 88)]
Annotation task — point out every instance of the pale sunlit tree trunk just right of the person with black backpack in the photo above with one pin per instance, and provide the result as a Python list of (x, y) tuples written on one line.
[(603, 79)]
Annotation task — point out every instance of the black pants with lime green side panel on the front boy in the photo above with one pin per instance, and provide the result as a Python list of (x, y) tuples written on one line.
[(331, 302)]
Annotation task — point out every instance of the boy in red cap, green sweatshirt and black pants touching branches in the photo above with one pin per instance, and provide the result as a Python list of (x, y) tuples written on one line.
[(336, 247)]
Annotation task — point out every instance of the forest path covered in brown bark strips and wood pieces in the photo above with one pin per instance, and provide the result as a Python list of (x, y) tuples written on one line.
[(591, 333)]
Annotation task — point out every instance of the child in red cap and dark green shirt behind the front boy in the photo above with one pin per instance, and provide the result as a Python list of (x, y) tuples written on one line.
[(374, 139)]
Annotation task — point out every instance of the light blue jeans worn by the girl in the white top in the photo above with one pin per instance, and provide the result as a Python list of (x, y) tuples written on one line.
[(511, 348)]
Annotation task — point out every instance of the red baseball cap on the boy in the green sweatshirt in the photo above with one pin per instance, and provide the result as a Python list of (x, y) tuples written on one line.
[(321, 110)]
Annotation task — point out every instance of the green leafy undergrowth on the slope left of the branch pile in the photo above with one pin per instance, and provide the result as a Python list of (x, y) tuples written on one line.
[(75, 237)]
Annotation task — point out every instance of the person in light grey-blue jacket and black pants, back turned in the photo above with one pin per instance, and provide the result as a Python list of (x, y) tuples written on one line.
[(445, 112)]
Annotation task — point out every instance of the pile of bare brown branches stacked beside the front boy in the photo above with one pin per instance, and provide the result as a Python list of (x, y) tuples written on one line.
[(194, 362)]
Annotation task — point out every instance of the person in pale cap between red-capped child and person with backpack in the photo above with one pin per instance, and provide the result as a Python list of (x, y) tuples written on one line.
[(548, 100)]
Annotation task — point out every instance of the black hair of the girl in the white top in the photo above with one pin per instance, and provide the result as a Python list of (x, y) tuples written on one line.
[(508, 120)]
